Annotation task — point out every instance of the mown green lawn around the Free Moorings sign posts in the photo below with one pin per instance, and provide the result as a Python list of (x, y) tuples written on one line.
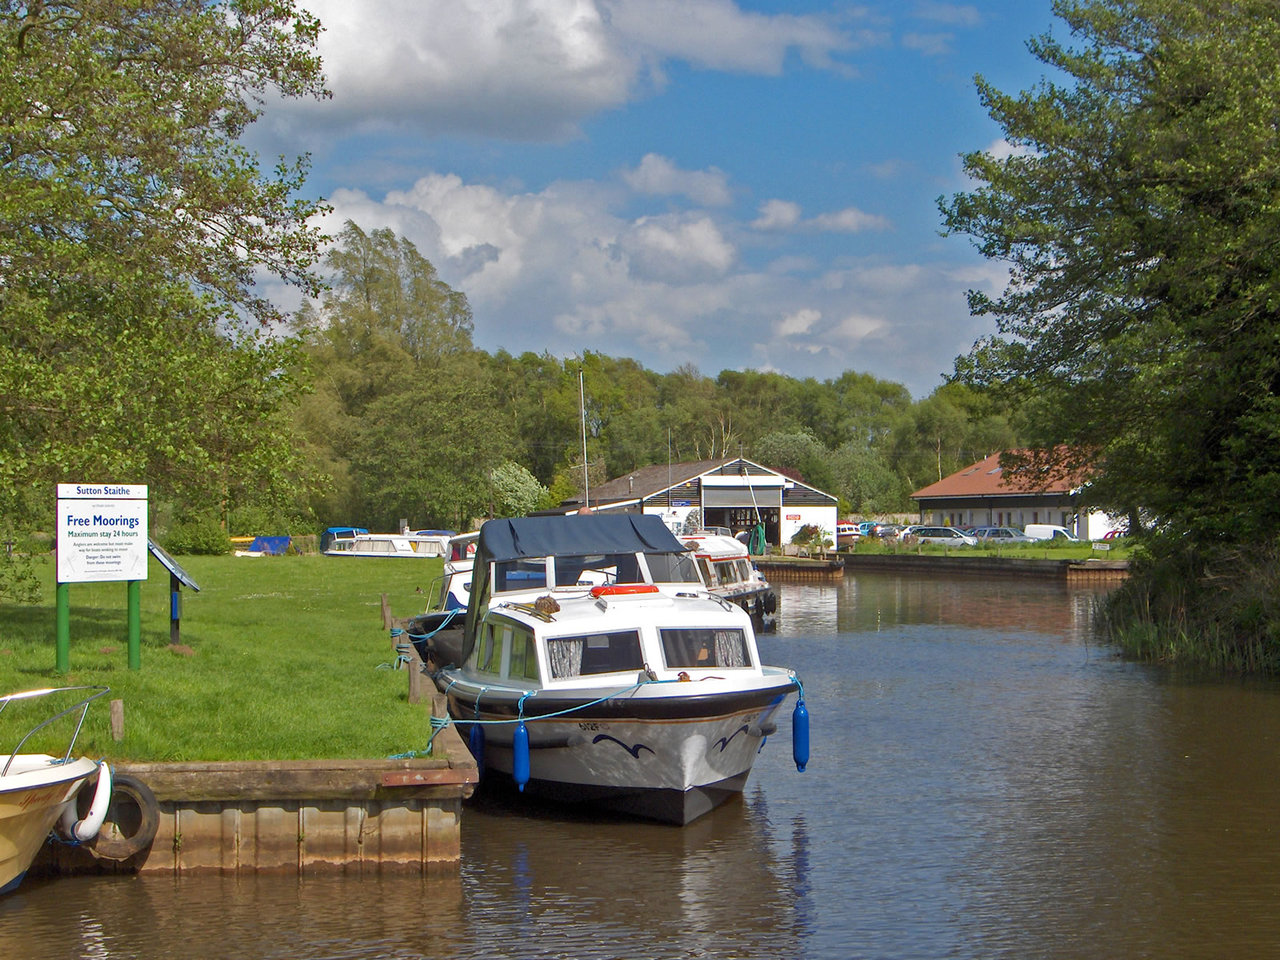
[(278, 659)]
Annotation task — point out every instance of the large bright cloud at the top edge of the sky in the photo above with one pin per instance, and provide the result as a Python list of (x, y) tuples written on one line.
[(528, 70)]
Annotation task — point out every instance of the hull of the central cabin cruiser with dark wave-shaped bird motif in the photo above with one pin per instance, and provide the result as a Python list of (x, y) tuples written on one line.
[(666, 758)]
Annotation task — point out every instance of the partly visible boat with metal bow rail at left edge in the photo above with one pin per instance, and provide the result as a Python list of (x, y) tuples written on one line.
[(39, 790)]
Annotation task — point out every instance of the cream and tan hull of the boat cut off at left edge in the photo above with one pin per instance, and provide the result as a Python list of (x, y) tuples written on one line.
[(33, 797)]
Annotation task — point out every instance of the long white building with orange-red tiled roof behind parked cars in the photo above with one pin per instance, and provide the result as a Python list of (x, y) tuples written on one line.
[(986, 495)]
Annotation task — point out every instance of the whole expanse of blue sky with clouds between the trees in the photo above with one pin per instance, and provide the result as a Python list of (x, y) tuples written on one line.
[(719, 184)]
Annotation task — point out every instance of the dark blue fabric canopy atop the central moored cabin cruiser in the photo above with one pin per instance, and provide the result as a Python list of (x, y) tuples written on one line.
[(574, 537)]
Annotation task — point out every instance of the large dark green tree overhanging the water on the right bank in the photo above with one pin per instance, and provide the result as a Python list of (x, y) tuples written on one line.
[(1137, 214)]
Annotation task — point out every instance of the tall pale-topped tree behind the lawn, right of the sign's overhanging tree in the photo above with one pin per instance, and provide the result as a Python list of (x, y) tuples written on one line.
[(405, 412)]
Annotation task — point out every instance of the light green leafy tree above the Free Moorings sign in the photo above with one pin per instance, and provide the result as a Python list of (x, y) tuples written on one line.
[(134, 228)]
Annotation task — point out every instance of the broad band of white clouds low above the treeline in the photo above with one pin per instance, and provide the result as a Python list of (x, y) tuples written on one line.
[(561, 271)]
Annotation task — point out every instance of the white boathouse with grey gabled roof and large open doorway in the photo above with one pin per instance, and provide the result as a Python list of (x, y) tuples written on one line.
[(732, 493)]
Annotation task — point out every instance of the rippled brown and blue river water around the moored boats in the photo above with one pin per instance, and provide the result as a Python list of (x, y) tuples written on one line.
[(986, 781)]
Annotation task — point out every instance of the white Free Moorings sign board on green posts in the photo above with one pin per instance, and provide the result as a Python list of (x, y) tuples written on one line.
[(102, 533)]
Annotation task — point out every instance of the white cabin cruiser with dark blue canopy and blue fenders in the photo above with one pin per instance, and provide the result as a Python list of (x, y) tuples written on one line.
[(596, 668)]
